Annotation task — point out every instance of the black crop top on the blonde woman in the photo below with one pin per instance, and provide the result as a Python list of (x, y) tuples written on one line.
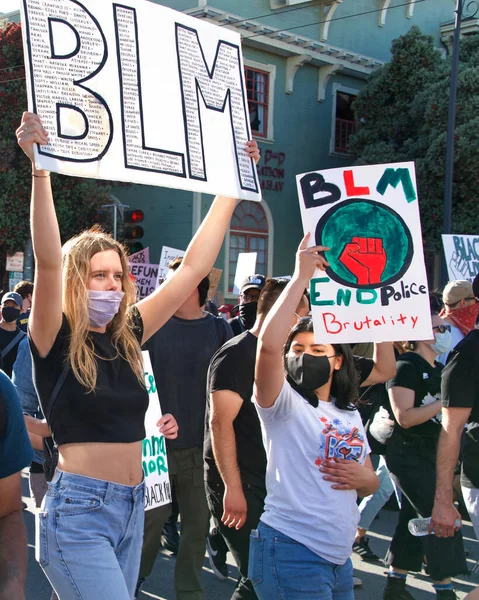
[(114, 412)]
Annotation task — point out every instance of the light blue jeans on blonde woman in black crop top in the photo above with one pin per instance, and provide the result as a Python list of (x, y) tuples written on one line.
[(89, 537)]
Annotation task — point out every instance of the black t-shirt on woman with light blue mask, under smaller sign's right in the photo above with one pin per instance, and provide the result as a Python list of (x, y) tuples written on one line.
[(415, 373)]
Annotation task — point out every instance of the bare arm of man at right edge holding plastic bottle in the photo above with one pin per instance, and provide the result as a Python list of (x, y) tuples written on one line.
[(444, 515)]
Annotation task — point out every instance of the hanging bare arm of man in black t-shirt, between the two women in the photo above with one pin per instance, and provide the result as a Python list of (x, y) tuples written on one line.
[(225, 406)]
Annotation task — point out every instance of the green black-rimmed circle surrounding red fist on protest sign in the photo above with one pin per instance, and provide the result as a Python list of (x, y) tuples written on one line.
[(358, 218)]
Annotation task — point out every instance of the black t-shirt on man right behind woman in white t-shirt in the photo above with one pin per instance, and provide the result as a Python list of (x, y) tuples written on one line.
[(232, 368)]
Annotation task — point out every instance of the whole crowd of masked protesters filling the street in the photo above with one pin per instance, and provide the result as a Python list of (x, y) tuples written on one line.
[(269, 433)]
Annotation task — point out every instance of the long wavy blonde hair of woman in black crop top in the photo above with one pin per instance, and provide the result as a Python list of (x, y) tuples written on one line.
[(77, 253)]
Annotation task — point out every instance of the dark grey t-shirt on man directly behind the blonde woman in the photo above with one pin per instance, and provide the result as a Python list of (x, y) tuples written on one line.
[(180, 355)]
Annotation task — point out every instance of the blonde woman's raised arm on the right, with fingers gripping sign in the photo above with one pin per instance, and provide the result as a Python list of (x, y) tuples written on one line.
[(197, 263)]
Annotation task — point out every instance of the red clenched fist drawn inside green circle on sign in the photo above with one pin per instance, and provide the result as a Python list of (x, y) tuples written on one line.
[(365, 258)]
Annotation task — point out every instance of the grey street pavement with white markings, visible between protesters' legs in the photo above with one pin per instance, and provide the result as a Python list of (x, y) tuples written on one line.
[(160, 585)]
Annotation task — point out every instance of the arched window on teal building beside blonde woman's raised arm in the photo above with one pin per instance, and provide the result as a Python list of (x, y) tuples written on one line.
[(248, 233)]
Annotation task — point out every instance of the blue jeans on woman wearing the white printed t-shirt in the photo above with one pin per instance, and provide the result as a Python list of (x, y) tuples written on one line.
[(281, 568)]
